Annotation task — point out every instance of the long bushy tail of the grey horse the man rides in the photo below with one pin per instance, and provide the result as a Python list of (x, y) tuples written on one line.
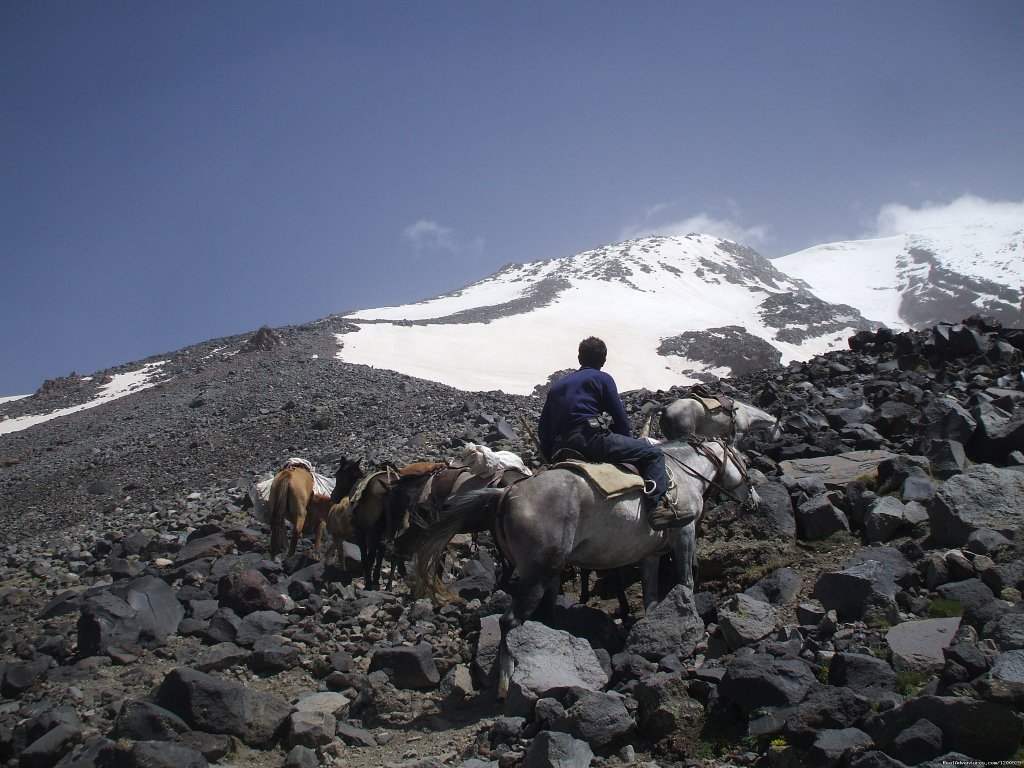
[(472, 511)]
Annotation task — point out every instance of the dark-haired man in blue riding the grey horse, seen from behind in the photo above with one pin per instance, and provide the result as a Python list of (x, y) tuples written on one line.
[(584, 414)]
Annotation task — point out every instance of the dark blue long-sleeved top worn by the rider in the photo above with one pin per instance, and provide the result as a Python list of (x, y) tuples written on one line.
[(575, 399)]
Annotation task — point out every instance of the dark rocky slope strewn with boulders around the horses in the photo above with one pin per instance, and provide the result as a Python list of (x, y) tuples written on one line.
[(869, 614)]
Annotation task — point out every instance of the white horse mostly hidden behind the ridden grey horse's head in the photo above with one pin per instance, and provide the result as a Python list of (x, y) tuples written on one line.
[(690, 417)]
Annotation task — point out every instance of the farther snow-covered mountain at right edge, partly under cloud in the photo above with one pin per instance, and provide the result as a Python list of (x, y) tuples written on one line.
[(944, 274)]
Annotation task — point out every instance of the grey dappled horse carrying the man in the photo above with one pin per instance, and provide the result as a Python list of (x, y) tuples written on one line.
[(557, 520)]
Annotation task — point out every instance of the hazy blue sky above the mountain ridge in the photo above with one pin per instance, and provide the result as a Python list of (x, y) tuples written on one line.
[(175, 173)]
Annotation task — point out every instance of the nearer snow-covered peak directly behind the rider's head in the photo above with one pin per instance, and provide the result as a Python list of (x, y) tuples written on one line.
[(673, 311)]
